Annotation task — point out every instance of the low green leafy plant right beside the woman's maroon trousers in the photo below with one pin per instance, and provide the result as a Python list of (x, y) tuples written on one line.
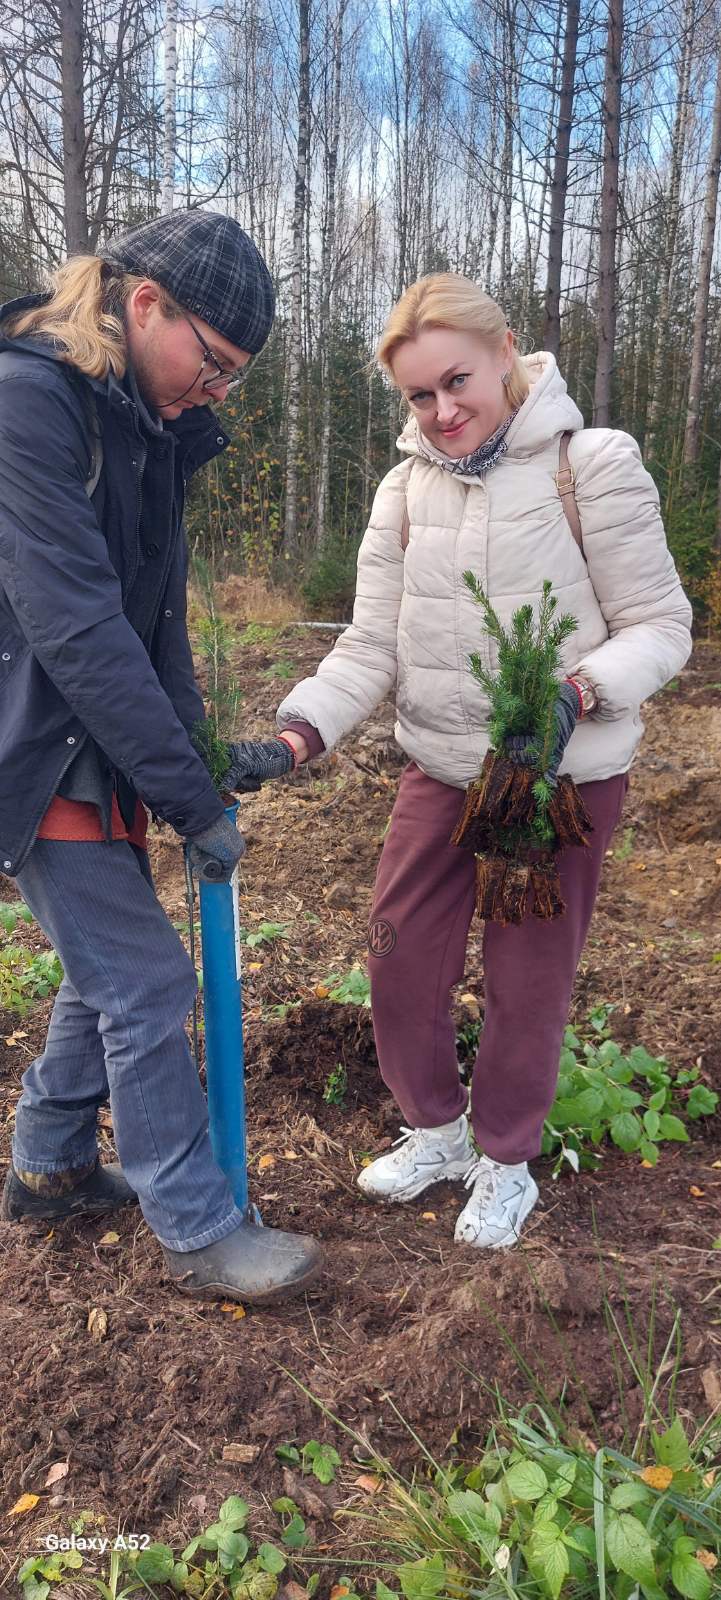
[(635, 1100)]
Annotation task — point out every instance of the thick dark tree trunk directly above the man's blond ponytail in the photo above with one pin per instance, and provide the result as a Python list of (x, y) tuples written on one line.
[(73, 114)]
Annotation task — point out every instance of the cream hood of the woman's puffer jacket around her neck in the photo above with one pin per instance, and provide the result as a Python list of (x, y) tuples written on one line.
[(544, 415)]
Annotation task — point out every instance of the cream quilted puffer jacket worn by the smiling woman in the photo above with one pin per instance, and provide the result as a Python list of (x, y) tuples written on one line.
[(415, 622)]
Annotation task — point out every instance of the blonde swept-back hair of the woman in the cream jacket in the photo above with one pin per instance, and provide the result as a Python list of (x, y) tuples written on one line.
[(445, 300)]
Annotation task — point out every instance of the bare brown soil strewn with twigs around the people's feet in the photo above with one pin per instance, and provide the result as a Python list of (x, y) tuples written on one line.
[(402, 1318)]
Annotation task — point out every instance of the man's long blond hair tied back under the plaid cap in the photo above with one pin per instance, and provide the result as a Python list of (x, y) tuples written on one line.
[(84, 316)]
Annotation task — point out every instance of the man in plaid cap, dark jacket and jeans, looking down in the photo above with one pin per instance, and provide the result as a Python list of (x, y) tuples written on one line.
[(106, 390)]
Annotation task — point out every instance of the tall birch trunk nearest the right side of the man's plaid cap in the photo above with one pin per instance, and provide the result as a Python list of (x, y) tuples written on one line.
[(297, 332)]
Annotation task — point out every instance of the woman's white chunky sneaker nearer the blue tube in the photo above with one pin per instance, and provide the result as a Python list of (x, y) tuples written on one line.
[(420, 1158)]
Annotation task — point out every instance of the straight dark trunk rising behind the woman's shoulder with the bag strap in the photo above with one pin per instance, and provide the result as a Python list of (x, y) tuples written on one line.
[(610, 218)]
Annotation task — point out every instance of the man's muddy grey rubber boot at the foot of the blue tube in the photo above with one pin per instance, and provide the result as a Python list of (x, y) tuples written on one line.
[(255, 1265)]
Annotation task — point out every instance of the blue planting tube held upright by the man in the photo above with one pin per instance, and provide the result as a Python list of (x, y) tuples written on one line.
[(223, 1010)]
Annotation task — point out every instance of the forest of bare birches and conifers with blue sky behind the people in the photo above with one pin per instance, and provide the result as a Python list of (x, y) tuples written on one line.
[(565, 154)]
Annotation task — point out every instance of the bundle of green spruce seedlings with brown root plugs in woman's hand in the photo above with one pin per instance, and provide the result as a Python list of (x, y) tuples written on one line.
[(516, 818)]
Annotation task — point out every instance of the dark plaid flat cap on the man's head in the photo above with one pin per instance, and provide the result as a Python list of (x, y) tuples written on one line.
[(210, 266)]
